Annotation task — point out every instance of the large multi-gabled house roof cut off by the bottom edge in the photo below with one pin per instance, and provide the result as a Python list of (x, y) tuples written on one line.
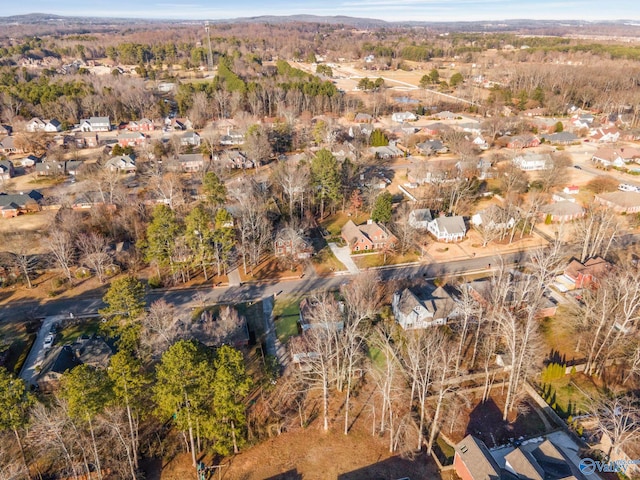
[(532, 460)]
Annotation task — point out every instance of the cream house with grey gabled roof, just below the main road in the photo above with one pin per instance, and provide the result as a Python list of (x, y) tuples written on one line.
[(422, 308)]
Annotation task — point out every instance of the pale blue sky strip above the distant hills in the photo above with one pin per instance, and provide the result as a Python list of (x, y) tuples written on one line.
[(391, 10)]
